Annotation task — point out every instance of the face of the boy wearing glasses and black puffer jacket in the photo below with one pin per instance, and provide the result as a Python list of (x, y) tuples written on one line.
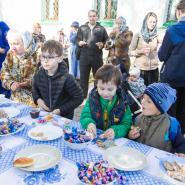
[(50, 61)]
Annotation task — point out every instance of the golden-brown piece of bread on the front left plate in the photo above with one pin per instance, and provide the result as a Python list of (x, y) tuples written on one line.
[(23, 162)]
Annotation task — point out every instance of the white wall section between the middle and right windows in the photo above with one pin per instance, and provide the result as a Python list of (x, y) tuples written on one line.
[(135, 10)]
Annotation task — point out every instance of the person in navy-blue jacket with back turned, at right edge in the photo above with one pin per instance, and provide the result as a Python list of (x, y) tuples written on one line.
[(172, 52)]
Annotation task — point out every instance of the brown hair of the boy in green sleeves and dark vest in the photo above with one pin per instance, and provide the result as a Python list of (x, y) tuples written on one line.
[(107, 73)]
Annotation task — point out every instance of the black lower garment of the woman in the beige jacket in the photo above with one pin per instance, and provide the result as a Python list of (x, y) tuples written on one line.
[(150, 76)]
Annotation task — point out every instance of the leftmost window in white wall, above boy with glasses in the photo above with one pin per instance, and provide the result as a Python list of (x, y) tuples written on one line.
[(50, 11)]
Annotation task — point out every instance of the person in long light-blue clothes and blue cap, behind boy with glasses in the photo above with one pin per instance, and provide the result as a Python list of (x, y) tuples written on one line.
[(74, 68)]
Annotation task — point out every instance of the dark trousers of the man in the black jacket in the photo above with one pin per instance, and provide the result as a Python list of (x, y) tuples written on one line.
[(86, 64)]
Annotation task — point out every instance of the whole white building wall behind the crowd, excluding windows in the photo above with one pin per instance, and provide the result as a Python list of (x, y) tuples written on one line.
[(20, 14)]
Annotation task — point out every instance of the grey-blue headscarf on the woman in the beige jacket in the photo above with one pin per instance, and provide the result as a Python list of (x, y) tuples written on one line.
[(148, 35)]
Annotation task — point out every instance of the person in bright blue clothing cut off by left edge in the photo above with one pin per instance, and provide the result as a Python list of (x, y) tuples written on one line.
[(4, 47)]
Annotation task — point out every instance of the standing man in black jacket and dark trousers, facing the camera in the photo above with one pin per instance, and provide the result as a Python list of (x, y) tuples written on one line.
[(91, 38)]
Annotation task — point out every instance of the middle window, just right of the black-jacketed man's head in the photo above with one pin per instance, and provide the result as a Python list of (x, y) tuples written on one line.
[(107, 9)]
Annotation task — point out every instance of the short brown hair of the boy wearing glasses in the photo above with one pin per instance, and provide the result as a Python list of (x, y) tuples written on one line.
[(52, 46)]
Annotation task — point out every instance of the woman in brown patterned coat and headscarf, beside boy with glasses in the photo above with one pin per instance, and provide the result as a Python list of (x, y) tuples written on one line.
[(19, 66)]
